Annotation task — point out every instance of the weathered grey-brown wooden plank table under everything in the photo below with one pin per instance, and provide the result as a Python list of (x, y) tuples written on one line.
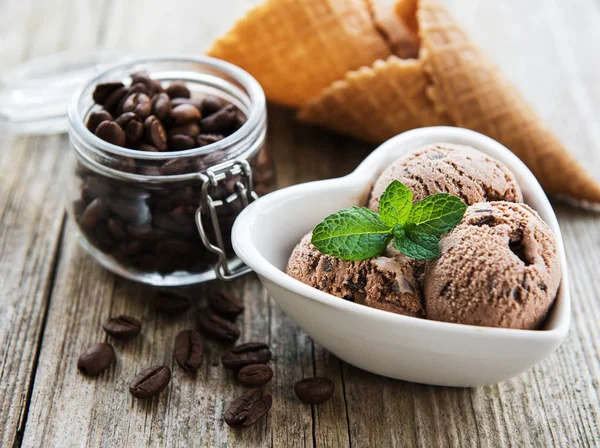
[(54, 297)]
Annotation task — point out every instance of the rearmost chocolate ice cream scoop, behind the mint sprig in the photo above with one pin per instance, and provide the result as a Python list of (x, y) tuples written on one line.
[(455, 169)]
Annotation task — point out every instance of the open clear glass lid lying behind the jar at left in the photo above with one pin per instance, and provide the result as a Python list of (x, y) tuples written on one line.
[(34, 96)]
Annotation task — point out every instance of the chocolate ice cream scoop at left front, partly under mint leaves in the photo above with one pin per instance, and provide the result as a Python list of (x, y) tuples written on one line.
[(386, 282)]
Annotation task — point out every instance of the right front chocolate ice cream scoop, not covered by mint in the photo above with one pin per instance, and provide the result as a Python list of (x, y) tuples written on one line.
[(498, 268)]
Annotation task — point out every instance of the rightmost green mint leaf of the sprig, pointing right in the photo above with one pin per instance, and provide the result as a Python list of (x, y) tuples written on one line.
[(437, 214)]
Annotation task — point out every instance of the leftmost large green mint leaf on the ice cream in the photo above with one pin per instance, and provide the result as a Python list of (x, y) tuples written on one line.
[(355, 233)]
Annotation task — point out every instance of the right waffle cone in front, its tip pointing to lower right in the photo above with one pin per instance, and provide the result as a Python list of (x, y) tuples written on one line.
[(452, 82)]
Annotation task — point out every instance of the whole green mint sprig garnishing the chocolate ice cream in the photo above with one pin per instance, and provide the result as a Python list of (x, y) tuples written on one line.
[(358, 233)]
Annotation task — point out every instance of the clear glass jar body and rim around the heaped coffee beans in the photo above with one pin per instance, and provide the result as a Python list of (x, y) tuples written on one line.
[(165, 218)]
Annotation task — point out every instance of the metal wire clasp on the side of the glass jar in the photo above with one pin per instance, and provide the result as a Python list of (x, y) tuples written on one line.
[(244, 192)]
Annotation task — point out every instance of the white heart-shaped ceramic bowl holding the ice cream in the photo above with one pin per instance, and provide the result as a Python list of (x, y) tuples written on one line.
[(393, 345)]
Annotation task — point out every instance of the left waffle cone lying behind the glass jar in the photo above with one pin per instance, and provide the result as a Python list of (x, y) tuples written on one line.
[(295, 48)]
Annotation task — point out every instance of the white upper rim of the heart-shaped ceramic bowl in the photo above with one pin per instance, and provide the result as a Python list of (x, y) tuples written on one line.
[(249, 253)]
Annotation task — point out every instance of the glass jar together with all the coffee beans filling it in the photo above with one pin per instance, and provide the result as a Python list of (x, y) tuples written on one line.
[(145, 148)]
